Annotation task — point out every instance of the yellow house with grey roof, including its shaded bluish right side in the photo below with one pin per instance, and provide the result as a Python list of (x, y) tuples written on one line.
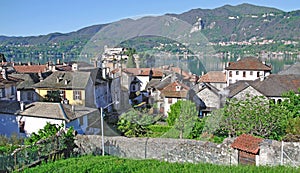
[(86, 88)]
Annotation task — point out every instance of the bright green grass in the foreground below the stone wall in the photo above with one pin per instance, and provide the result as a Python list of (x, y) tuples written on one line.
[(111, 164)]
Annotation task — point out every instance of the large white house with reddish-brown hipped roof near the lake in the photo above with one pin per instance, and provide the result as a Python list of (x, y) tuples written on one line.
[(249, 68)]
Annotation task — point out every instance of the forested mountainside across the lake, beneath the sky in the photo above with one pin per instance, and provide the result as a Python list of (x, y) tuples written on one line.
[(227, 23)]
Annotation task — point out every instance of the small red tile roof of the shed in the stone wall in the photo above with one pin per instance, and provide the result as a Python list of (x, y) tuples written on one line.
[(247, 143)]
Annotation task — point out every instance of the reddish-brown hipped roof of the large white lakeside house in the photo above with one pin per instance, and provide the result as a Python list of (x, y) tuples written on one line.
[(249, 63)]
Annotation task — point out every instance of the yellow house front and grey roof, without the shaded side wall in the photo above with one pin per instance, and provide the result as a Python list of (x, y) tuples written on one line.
[(75, 88)]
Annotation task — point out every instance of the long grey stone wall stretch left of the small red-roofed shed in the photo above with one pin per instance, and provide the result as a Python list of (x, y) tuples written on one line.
[(172, 150)]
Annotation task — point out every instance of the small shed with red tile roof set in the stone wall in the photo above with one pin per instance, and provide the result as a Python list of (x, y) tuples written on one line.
[(248, 148)]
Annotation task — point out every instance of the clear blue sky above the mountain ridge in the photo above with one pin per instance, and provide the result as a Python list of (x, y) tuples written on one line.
[(39, 17)]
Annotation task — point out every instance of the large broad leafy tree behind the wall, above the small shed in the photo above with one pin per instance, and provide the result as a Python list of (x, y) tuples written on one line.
[(257, 116)]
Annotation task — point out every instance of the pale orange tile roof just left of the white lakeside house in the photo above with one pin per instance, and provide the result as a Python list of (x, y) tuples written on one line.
[(213, 77)]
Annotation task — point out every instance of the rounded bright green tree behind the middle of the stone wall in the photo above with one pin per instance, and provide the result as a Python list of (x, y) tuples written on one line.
[(182, 116)]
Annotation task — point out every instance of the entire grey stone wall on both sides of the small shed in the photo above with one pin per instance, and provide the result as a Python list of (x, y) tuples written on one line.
[(184, 150)]
